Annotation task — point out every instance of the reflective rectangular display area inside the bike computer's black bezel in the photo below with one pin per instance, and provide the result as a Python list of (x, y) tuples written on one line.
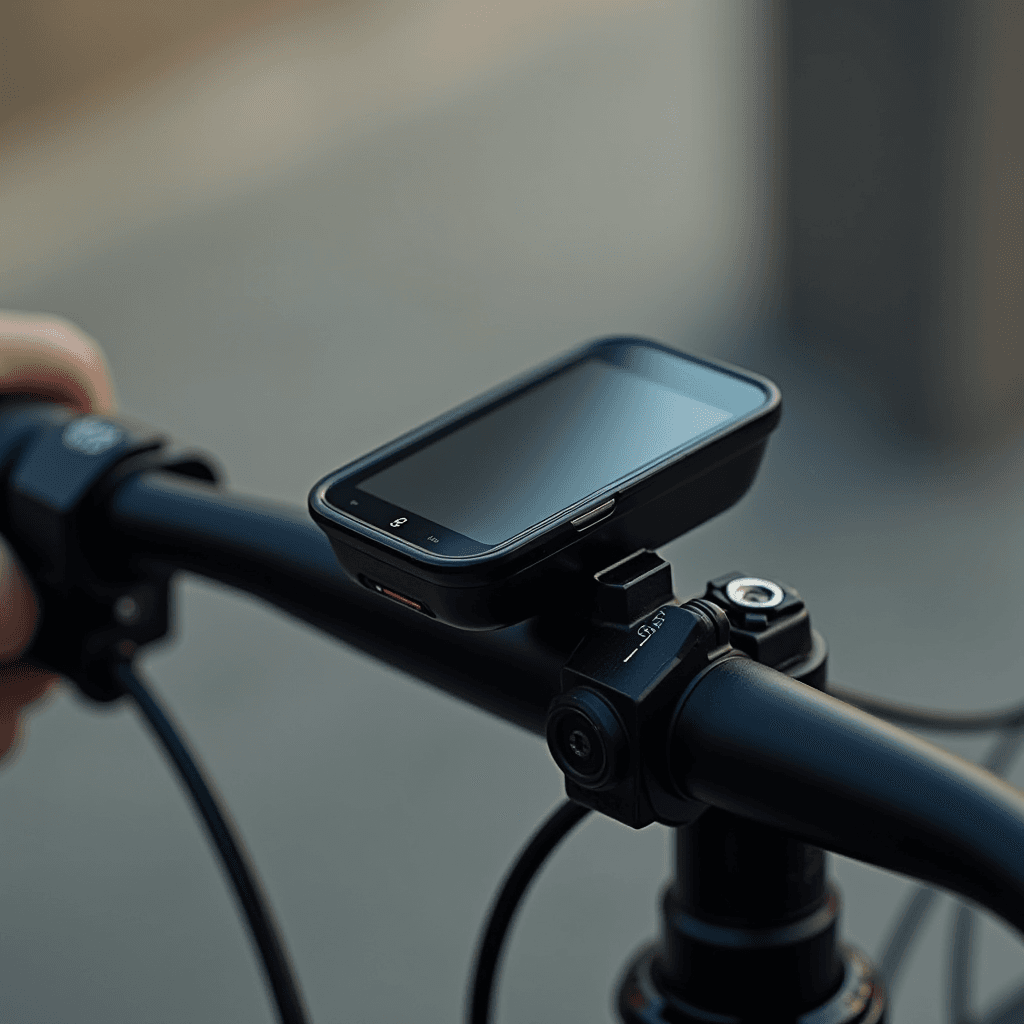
[(544, 452)]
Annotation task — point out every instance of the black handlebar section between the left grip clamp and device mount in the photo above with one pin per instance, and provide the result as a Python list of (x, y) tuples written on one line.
[(277, 553)]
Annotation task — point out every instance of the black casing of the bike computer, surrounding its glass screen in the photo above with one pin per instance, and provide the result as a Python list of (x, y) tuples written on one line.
[(545, 567)]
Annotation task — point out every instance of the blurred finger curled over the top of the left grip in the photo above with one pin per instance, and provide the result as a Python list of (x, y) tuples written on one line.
[(52, 359)]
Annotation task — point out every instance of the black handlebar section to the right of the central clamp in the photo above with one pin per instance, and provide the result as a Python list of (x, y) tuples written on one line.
[(756, 743)]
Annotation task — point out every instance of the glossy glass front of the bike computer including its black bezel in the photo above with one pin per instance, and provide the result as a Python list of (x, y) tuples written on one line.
[(541, 450)]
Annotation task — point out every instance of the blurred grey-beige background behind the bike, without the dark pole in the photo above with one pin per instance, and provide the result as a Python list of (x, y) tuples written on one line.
[(298, 235)]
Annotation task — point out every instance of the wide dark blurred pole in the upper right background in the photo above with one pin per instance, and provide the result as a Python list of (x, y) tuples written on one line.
[(905, 204)]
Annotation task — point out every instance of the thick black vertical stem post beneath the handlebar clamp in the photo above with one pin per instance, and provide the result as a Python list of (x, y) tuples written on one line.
[(748, 905)]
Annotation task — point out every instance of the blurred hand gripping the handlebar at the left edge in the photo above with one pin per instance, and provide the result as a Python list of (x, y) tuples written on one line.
[(50, 358)]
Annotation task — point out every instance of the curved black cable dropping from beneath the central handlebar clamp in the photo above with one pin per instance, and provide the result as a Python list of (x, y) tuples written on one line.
[(489, 952)]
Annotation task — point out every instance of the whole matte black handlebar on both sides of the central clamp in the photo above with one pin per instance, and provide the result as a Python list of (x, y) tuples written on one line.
[(747, 740)]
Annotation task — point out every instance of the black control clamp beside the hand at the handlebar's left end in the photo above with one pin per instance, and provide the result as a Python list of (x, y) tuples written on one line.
[(58, 468)]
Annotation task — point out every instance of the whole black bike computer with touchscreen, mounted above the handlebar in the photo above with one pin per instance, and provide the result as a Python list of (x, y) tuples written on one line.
[(476, 518)]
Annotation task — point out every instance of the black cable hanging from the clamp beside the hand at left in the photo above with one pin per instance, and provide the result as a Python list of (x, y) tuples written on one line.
[(262, 925)]
